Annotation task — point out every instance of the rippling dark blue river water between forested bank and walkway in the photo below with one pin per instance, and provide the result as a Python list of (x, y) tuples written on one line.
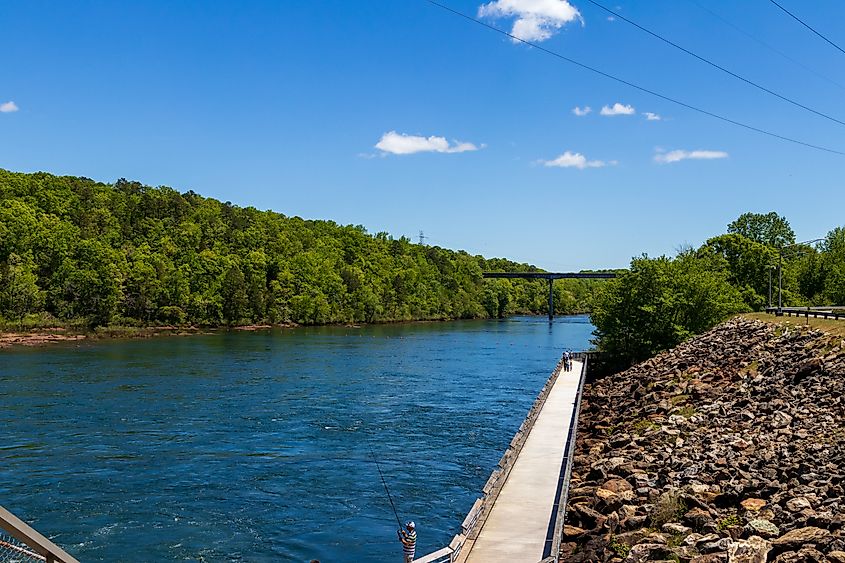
[(253, 446)]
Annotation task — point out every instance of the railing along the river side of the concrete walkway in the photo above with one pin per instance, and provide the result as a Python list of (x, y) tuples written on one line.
[(474, 521)]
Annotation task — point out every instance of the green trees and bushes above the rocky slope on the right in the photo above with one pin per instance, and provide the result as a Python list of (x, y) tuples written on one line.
[(661, 301)]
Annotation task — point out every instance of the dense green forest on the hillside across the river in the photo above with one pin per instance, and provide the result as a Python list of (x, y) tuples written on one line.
[(75, 252)]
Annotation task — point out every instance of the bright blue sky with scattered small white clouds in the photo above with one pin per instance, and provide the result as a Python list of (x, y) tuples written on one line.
[(281, 105)]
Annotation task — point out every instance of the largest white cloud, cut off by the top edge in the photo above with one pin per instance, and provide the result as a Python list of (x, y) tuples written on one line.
[(536, 20)]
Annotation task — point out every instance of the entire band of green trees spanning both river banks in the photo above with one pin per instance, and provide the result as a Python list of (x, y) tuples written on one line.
[(80, 253)]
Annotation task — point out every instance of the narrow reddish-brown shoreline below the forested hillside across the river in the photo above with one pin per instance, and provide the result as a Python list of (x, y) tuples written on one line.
[(53, 335)]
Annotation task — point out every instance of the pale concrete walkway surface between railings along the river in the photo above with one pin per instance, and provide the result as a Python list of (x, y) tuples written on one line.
[(515, 530)]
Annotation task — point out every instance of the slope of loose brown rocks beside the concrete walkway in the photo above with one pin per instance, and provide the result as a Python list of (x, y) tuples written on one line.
[(730, 447)]
